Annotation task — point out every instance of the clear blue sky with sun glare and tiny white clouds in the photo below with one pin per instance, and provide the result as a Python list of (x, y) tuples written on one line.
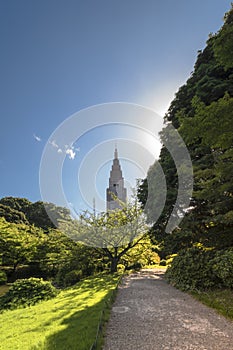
[(60, 57)]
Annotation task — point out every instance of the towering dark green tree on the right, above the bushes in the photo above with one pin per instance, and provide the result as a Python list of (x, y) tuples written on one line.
[(202, 113)]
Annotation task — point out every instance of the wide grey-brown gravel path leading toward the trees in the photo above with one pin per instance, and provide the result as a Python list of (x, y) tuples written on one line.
[(149, 314)]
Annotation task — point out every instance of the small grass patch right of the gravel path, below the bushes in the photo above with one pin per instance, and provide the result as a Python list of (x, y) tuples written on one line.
[(221, 300)]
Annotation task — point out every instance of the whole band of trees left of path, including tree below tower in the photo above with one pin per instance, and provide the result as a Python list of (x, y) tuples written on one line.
[(31, 245)]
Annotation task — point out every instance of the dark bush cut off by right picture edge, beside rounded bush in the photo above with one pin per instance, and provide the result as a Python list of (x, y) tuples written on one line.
[(222, 266)]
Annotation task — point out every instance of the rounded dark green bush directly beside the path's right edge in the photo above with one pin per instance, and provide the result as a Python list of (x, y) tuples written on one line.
[(192, 269)]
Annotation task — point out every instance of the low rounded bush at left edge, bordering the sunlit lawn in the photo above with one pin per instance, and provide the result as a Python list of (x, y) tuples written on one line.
[(26, 292)]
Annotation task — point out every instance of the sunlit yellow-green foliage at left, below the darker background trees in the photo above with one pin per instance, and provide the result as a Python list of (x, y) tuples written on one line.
[(28, 251)]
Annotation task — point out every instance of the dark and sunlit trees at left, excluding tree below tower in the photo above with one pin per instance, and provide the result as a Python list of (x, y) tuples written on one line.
[(31, 246)]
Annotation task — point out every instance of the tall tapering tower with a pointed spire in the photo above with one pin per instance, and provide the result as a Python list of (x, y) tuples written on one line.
[(116, 185)]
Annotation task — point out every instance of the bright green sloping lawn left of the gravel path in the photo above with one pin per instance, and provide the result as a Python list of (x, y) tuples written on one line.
[(66, 322)]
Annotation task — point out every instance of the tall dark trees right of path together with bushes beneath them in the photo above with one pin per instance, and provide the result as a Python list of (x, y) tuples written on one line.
[(202, 112)]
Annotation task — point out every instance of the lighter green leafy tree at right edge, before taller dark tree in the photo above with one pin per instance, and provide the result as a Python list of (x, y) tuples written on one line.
[(213, 126)]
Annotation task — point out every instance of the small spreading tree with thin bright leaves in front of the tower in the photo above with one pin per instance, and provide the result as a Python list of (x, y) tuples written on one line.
[(112, 234)]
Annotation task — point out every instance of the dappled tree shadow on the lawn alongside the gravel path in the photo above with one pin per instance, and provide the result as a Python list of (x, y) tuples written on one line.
[(80, 326)]
